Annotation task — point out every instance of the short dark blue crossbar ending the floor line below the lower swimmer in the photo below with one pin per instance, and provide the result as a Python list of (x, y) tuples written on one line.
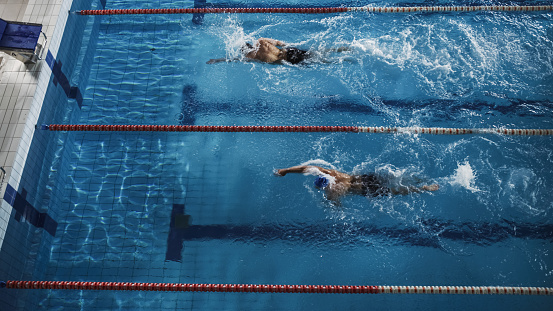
[(179, 223)]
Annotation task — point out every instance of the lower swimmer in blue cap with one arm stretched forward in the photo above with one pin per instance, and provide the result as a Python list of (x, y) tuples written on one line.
[(368, 185)]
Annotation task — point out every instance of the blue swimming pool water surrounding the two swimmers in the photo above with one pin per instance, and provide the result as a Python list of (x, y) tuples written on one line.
[(121, 200)]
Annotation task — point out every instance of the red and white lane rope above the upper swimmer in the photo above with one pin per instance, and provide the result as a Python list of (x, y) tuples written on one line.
[(436, 9)]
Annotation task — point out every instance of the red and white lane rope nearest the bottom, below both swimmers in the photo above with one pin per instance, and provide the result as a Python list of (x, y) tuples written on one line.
[(264, 288)]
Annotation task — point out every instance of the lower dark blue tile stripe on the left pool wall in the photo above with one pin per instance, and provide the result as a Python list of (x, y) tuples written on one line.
[(24, 209)]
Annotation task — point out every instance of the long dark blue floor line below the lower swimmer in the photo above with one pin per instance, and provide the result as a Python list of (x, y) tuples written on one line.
[(349, 234)]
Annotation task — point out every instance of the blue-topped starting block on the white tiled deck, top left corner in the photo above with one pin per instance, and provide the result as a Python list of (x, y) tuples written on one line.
[(20, 40)]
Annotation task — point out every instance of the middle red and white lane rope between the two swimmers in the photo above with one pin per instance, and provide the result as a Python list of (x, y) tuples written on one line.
[(306, 129)]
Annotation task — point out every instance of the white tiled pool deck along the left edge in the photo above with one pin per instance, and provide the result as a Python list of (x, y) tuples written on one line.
[(22, 90)]
